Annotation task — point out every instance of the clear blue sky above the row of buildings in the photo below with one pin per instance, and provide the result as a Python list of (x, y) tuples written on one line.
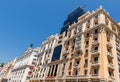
[(23, 22)]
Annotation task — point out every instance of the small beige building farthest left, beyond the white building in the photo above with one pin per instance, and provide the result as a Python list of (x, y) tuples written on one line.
[(6, 70)]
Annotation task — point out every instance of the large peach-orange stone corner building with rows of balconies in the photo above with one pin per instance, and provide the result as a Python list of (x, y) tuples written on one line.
[(90, 51)]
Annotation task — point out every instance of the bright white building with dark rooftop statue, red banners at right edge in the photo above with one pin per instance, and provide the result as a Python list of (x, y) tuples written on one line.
[(24, 66)]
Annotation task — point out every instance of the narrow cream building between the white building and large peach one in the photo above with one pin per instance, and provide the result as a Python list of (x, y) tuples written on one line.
[(44, 57)]
